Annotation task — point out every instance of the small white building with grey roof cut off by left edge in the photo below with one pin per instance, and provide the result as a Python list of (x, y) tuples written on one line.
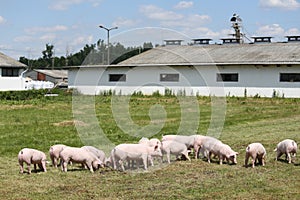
[(11, 74)]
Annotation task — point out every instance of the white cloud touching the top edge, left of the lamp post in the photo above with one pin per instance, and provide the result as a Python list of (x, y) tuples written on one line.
[(61, 5)]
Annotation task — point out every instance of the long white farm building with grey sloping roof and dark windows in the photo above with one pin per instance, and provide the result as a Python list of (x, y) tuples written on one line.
[(262, 68)]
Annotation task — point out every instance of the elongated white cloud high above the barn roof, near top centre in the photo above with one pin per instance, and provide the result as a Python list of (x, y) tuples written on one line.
[(156, 13)]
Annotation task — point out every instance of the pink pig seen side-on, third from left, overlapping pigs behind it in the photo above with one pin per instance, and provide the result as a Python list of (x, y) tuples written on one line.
[(79, 155)]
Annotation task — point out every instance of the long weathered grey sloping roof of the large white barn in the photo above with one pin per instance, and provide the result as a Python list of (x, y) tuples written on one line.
[(229, 54)]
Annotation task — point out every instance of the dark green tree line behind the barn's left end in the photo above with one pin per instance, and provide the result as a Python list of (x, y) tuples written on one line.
[(90, 54)]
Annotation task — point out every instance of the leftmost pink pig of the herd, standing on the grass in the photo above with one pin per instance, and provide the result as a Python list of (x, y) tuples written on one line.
[(32, 156)]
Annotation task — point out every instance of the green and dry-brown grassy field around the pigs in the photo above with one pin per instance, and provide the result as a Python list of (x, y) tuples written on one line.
[(44, 122)]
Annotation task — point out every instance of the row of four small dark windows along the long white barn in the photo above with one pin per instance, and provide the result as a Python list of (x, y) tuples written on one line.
[(221, 77)]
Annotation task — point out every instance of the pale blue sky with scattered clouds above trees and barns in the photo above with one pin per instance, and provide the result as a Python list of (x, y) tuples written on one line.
[(27, 26)]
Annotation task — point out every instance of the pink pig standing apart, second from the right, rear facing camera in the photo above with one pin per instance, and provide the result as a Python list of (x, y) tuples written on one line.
[(257, 152)]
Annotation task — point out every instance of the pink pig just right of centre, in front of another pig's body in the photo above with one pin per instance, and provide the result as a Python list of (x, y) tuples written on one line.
[(175, 148)]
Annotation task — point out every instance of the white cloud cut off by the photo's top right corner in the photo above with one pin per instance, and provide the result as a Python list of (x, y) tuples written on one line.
[(282, 4)]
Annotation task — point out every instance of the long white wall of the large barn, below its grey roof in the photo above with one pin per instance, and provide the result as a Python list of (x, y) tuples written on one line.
[(198, 80)]
